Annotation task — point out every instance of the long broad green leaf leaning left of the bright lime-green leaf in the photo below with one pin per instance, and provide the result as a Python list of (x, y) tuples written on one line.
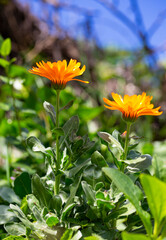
[(132, 192)]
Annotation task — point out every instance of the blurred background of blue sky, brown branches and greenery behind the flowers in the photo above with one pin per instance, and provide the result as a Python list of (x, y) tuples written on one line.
[(122, 44)]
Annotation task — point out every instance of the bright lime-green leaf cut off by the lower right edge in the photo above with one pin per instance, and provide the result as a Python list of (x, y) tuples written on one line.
[(155, 191)]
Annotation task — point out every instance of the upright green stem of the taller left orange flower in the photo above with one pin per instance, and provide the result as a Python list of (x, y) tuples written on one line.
[(58, 162)]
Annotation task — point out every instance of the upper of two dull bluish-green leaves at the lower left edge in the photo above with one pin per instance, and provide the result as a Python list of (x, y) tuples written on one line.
[(7, 194)]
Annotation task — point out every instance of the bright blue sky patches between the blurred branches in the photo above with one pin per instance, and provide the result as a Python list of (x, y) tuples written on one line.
[(108, 29)]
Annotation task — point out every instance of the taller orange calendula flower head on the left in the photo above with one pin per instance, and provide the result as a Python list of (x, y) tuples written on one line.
[(58, 72)]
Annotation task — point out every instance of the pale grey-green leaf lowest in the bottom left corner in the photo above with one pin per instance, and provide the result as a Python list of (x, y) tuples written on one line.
[(15, 229)]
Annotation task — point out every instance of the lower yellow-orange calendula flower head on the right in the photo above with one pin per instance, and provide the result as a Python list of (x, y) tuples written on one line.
[(132, 107)]
